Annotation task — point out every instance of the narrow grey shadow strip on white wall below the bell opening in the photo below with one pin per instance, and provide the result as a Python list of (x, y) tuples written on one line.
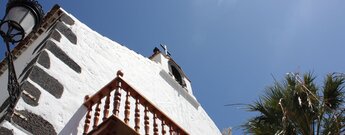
[(181, 91)]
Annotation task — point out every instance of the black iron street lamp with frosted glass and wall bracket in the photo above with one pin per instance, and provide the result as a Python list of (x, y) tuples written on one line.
[(22, 17)]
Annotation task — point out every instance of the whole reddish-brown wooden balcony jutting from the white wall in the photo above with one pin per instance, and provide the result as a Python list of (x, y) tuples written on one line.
[(122, 99)]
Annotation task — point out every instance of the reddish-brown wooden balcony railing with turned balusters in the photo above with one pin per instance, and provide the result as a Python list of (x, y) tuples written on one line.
[(167, 125)]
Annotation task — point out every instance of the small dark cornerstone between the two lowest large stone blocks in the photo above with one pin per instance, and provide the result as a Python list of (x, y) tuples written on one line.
[(33, 91)]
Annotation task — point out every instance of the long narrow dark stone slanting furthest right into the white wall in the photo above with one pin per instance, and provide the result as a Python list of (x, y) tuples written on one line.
[(56, 50)]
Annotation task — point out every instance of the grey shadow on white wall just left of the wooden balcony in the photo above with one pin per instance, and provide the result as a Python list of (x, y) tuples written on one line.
[(71, 128)]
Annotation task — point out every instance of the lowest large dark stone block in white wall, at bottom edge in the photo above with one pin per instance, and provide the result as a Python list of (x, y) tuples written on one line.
[(34, 124)]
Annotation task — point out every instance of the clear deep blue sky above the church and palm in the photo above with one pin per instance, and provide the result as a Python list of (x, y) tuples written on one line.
[(229, 48)]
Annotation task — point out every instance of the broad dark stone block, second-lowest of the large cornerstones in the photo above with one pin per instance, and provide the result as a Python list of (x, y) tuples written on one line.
[(47, 82)]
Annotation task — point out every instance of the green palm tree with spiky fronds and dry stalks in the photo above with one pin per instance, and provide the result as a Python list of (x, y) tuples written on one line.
[(297, 106)]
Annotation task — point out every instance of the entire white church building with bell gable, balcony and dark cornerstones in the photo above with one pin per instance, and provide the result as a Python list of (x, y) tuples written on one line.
[(75, 81)]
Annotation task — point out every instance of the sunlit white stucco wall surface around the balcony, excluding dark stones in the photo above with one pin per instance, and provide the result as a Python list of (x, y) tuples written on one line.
[(100, 59)]
